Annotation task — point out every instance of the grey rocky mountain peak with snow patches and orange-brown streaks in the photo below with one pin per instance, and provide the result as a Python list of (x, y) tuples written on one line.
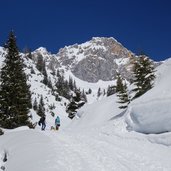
[(97, 59)]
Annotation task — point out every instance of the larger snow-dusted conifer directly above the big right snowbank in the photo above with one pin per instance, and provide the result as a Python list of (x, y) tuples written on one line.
[(144, 75)]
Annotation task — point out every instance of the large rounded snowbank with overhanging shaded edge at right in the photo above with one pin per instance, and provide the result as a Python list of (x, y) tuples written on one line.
[(151, 113)]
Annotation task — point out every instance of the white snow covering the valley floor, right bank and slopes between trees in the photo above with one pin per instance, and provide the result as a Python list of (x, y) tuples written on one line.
[(101, 137)]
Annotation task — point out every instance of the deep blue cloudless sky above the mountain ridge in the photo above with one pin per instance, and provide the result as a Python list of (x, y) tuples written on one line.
[(140, 25)]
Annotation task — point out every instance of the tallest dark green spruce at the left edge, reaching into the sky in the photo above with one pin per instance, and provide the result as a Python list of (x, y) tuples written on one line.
[(15, 97)]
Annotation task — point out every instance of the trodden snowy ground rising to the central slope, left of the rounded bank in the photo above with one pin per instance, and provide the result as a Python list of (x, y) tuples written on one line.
[(96, 140)]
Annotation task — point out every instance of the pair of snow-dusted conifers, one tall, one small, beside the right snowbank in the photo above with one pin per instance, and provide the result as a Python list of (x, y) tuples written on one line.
[(143, 76)]
